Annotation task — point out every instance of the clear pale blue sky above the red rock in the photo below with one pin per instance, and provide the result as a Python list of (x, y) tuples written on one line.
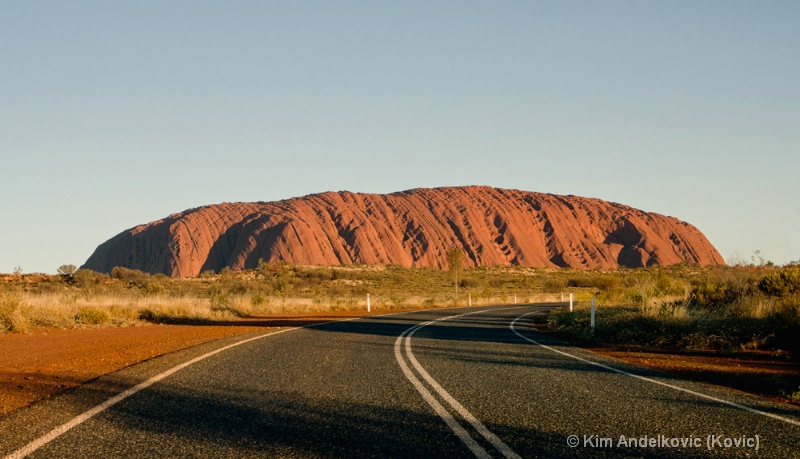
[(115, 114)]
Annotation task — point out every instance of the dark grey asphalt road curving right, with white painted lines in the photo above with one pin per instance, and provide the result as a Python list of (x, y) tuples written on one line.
[(467, 382)]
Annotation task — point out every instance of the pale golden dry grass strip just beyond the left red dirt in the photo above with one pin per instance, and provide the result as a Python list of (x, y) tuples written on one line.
[(21, 312)]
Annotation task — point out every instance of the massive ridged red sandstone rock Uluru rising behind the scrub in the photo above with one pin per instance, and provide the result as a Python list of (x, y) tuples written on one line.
[(493, 227)]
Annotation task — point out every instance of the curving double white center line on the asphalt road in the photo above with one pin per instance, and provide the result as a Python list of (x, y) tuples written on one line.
[(403, 345)]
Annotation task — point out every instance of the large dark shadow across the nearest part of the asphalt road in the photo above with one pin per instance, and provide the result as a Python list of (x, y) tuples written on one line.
[(174, 421)]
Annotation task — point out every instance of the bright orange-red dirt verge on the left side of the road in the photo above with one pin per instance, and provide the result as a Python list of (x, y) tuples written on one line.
[(45, 362)]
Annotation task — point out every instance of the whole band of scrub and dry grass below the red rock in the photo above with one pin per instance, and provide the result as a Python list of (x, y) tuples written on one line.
[(685, 307)]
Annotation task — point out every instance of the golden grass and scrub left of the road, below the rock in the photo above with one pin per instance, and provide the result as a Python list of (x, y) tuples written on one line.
[(85, 298)]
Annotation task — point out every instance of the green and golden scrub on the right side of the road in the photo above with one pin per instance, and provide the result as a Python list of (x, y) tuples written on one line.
[(719, 308)]
